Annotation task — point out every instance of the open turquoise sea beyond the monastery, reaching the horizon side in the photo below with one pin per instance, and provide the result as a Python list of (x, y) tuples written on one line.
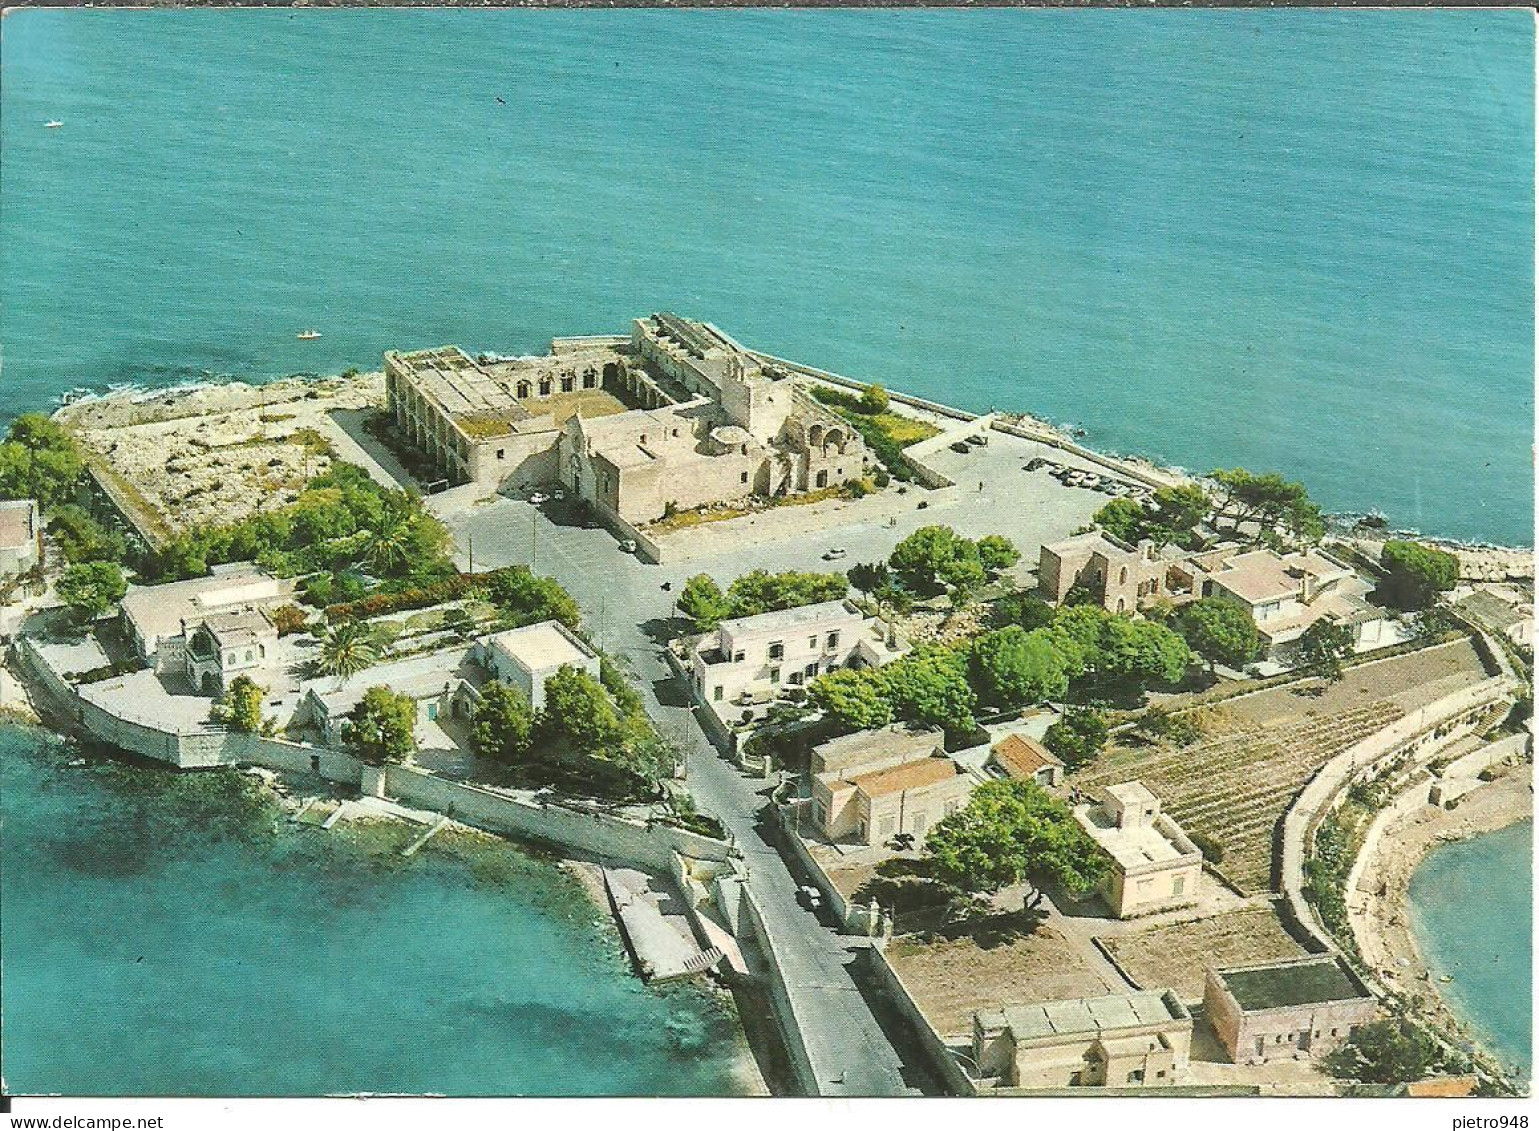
[(1297, 241)]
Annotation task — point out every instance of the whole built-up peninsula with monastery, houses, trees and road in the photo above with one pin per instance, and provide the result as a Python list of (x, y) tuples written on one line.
[(970, 759)]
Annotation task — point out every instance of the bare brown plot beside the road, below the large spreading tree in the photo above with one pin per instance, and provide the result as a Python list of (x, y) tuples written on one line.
[(952, 979)]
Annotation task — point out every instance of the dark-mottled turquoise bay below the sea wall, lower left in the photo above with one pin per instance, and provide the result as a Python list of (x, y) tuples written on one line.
[(175, 936)]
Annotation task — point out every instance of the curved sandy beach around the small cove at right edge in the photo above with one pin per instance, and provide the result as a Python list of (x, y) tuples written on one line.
[(1381, 909)]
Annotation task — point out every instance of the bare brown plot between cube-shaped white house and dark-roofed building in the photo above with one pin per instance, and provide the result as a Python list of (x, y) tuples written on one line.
[(1177, 955)]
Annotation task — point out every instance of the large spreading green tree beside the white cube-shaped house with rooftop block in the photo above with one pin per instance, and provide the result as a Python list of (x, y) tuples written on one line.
[(1015, 833)]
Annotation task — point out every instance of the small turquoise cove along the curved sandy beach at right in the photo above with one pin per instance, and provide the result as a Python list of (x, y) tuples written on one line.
[(1472, 913)]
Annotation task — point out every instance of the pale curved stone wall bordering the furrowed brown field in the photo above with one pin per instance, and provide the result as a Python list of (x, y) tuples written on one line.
[(1326, 787)]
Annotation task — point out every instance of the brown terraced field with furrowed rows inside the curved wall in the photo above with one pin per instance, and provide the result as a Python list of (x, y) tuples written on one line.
[(1237, 787)]
